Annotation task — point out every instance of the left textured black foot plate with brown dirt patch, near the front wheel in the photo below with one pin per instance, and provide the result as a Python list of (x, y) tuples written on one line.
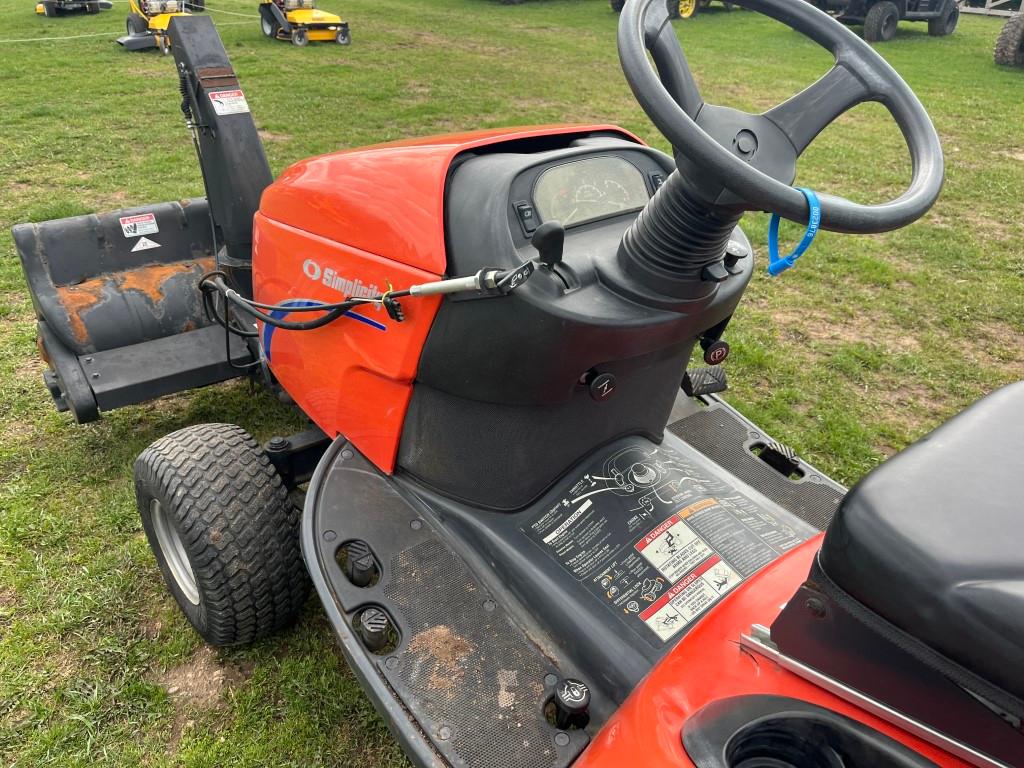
[(458, 670)]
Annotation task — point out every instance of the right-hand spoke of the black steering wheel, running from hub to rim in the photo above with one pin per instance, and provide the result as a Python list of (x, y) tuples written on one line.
[(803, 117)]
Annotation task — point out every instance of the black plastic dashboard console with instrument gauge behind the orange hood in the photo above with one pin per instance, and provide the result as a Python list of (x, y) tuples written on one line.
[(507, 385)]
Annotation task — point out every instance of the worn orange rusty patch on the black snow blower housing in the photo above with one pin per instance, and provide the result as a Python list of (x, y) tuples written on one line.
[(149, 281)]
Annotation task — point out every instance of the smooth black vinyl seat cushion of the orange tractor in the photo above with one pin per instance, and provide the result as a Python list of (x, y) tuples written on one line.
[(933, 540)]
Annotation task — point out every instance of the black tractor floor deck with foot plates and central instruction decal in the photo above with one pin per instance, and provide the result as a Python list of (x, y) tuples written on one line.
[(478, 599)]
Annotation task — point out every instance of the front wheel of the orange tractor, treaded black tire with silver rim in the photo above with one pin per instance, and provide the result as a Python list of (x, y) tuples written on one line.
[(224, 533)]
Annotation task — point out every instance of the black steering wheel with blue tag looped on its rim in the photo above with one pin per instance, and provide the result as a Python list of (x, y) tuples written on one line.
[(741, 161)]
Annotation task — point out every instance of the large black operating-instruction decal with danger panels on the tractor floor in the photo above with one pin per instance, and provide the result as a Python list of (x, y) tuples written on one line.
[(659, 539)]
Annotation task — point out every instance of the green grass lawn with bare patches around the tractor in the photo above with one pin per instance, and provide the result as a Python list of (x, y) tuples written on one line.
[(860, 351)]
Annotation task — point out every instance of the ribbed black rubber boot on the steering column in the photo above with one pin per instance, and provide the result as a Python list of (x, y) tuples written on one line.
[(677, 244)]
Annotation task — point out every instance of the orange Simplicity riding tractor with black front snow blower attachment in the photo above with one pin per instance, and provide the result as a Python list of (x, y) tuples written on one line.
[(541, 537)]
